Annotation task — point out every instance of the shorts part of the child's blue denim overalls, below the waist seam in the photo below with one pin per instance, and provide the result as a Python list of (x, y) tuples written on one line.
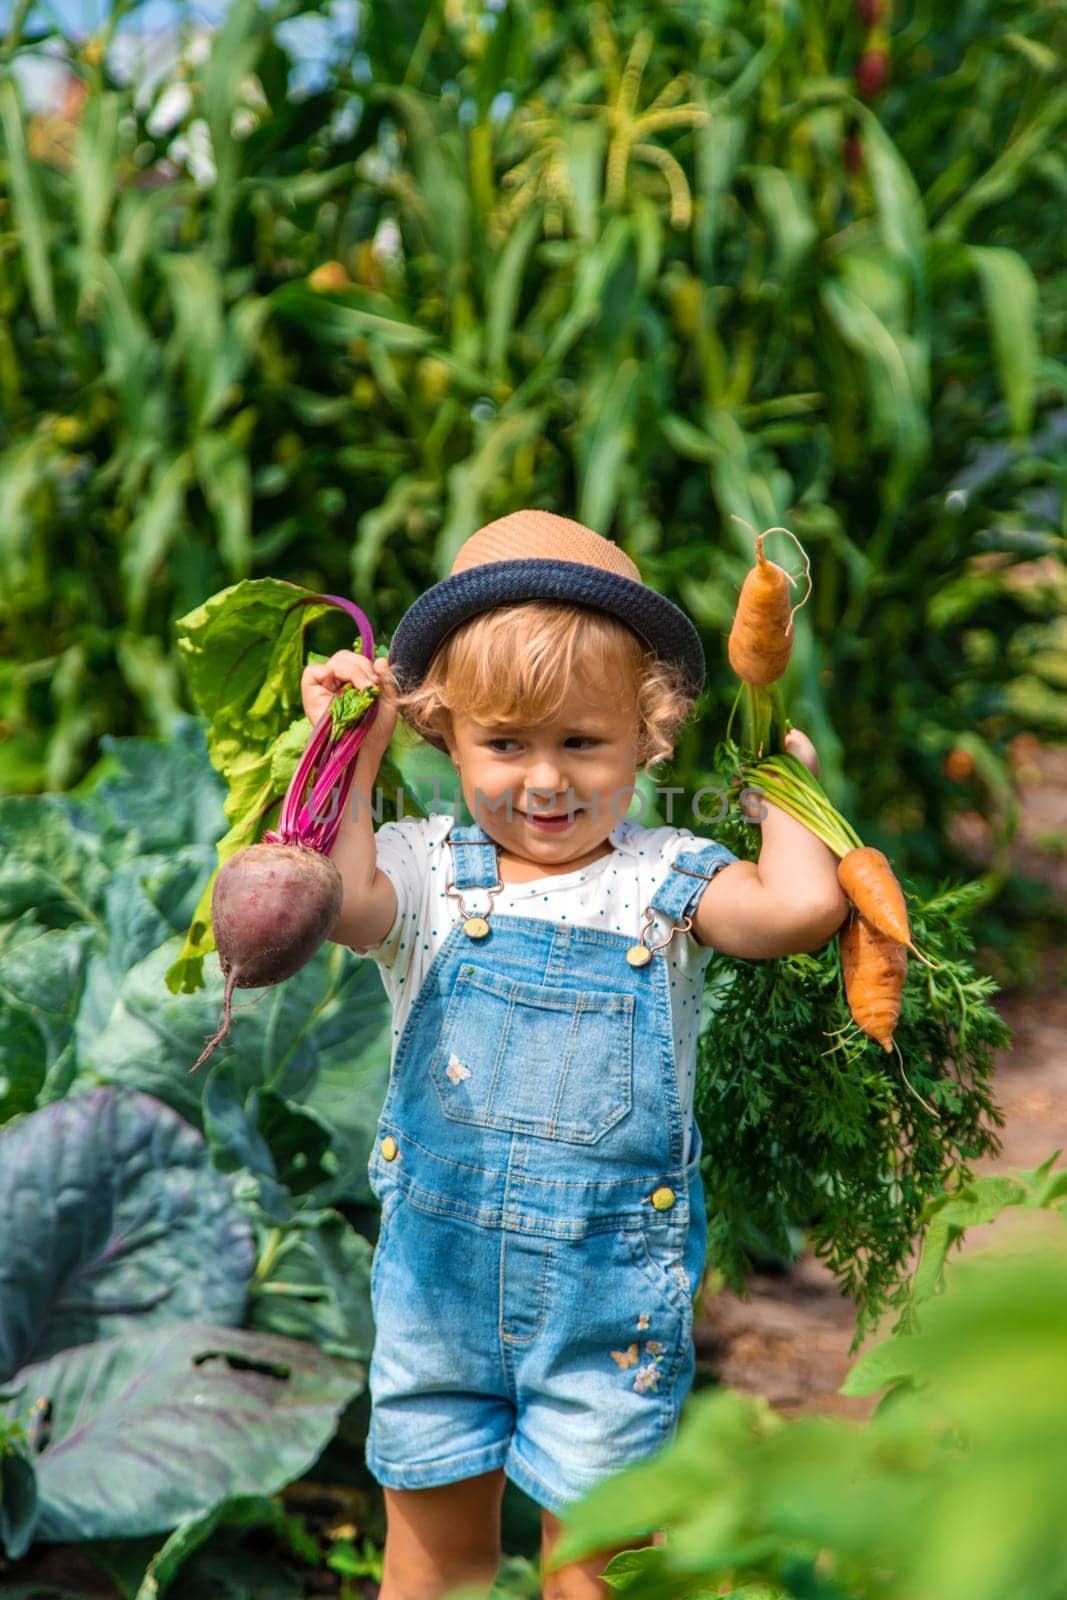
[(562, 1361)]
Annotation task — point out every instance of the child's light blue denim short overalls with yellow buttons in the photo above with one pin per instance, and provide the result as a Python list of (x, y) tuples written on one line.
[(541, 1238)]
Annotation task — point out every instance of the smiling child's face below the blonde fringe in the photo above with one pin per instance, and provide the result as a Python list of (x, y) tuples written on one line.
[(580, 767)]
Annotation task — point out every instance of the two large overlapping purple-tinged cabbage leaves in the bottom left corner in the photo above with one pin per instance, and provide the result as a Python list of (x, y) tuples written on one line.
[(130, 1394)]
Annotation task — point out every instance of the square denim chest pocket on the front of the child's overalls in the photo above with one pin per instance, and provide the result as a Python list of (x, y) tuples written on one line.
[(527, 1058)]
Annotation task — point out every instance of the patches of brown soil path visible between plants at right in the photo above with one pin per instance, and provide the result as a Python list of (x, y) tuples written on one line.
[(789, 1340)]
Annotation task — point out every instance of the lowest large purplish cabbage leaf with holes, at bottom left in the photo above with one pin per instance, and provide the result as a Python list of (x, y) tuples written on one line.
[(140, 1433)]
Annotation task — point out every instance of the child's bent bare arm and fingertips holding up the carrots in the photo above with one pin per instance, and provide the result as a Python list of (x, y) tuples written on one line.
[(788, 902)]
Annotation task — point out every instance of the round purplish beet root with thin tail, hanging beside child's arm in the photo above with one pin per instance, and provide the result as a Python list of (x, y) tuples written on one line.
[(271, 908)]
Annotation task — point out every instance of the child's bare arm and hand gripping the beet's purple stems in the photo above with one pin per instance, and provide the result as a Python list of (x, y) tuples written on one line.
[(369, 906)]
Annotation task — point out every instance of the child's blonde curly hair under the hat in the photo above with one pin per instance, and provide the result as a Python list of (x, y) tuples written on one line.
[(519, 663)]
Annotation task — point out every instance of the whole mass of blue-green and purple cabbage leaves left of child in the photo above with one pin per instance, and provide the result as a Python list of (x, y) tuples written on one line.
[(97, 890)]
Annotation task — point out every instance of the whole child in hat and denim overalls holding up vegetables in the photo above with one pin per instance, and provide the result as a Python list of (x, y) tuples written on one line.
[(537, 1161)]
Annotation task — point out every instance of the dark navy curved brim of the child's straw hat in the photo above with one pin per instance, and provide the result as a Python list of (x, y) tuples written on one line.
[(665, 628)]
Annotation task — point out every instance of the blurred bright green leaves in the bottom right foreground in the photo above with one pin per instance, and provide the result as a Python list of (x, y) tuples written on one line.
[(951, 1492)]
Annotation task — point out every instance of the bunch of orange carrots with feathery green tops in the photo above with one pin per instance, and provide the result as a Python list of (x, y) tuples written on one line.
[(839, 1094)]
